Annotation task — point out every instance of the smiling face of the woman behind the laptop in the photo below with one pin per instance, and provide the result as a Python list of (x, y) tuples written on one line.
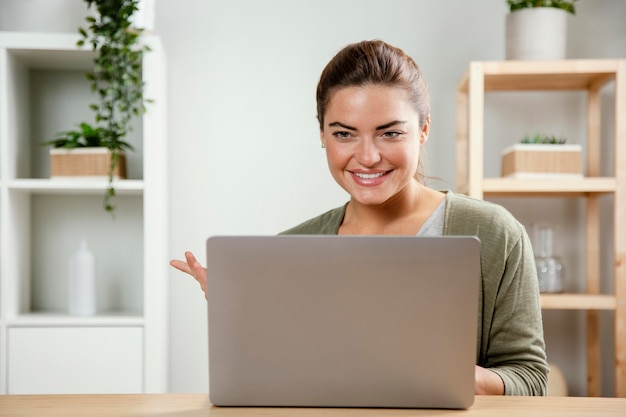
[(372, 137)]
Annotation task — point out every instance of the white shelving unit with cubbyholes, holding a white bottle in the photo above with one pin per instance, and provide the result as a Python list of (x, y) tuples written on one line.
[(123, 348)]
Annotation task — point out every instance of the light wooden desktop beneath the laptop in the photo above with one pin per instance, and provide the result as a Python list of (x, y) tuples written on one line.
[(196, 405)]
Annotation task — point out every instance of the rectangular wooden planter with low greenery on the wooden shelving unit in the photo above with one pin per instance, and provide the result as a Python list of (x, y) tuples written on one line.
[(541, 156)]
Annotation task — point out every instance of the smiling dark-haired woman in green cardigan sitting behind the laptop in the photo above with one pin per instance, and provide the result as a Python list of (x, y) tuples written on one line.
[(374, 115)]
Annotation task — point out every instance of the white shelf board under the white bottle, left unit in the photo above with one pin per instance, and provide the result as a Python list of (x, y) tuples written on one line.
[(46, 319)]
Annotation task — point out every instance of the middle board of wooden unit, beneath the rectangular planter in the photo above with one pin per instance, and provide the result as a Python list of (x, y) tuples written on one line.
[(551, 186)]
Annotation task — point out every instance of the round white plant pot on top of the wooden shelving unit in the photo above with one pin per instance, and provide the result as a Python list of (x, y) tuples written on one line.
[(537, 33)]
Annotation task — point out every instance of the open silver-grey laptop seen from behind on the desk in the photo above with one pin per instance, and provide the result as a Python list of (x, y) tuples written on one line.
[(342, 321)]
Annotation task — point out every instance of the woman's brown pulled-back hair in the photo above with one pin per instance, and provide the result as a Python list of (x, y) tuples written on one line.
[(372, 63)]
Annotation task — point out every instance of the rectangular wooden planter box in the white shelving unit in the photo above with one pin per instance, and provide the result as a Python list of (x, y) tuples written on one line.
[(84, 162)]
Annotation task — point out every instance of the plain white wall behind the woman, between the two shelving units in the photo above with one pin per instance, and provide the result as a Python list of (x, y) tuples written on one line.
[(245, 149)]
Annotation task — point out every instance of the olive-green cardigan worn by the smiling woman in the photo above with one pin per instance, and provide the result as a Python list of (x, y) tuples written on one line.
[(510, 332)]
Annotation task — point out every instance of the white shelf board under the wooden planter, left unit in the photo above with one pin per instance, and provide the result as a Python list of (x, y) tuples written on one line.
[(75, 186)]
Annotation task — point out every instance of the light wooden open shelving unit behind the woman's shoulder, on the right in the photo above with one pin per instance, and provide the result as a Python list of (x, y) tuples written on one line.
[(569, 75)]
